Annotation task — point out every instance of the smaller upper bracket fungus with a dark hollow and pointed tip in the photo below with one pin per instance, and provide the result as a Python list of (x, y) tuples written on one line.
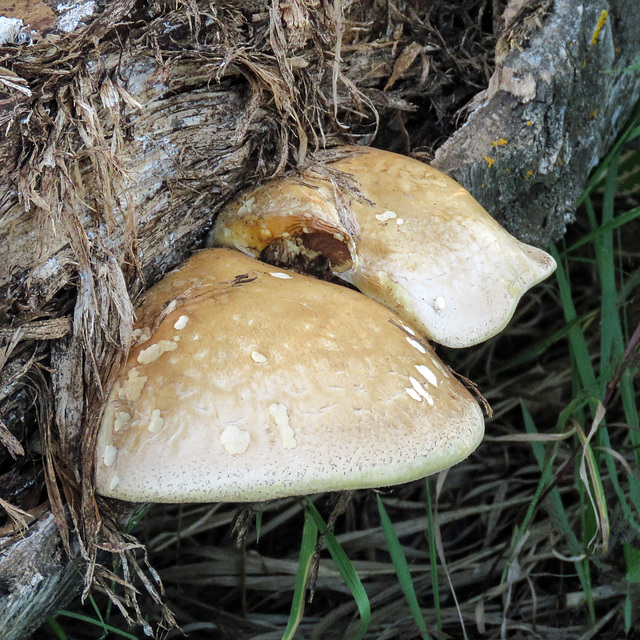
[(413, 239)]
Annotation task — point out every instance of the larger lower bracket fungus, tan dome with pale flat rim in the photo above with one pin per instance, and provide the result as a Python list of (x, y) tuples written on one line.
[(250, 383)]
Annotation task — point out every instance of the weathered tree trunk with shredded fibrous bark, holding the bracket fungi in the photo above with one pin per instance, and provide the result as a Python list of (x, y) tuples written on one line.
[(126, 135)]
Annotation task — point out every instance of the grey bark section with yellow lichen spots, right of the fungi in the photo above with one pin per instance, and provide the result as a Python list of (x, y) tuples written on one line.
[(557, 106)]
